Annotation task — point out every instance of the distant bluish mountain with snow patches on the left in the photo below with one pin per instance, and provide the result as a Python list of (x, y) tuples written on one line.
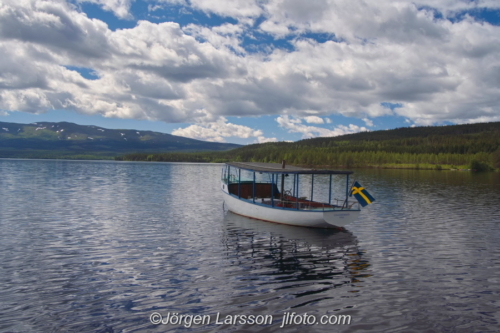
[(69, 140)]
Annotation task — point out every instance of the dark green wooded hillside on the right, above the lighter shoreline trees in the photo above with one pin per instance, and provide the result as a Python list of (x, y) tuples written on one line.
[(455, 139)]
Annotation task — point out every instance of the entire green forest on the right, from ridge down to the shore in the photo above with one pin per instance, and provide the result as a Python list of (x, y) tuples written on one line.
[(470, 146)]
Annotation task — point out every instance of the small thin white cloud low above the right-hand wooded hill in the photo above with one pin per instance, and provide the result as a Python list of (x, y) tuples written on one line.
[(294, 125)]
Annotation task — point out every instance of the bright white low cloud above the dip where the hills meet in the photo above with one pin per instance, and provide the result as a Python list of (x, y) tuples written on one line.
[(218, 130)]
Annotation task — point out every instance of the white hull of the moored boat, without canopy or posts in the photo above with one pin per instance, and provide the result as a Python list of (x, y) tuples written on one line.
[(304, 218)]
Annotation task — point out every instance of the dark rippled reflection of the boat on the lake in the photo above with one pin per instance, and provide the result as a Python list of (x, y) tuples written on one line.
[(304, 263)]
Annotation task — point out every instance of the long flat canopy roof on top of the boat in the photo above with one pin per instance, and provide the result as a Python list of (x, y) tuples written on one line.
[(278, 168)]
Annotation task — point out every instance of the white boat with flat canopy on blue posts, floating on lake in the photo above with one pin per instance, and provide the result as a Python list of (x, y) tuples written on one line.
[(289, 194)]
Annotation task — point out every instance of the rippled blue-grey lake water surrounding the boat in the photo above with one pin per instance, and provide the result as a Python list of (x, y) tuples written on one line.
[(100, 246)]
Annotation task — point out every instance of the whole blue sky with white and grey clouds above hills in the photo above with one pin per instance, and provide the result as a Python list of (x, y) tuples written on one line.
[(250, 71)]
